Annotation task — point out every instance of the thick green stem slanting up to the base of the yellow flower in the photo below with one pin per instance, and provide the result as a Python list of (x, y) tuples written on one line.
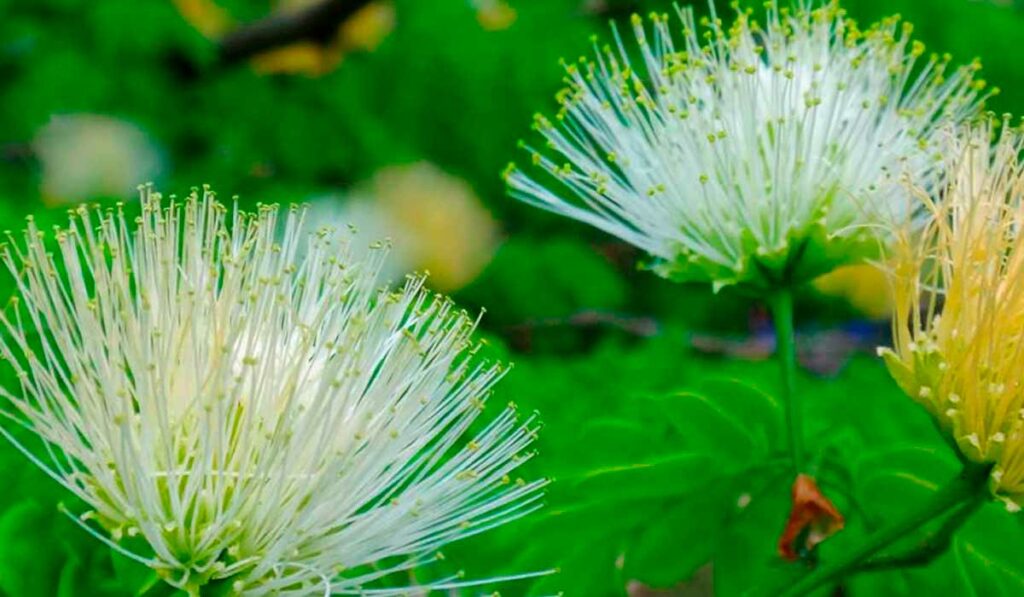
[(971, 483)]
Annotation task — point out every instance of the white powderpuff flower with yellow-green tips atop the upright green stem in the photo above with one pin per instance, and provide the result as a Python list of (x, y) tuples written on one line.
[(757, 155)]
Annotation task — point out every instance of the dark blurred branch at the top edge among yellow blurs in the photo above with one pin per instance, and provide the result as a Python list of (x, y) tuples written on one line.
[(317, 24)]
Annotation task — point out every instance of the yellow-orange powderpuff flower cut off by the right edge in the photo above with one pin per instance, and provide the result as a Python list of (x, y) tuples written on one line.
[(963, 354)]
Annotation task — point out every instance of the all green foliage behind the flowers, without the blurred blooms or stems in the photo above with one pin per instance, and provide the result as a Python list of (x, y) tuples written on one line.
[(664, 461)]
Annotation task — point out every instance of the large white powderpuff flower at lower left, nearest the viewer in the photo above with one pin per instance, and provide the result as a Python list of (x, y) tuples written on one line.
[(236, 416)]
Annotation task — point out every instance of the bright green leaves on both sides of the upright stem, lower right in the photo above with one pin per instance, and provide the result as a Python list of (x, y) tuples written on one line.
[(659, 483)]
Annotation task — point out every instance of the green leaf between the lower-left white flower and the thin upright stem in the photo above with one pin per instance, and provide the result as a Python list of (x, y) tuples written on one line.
[(655, 487)]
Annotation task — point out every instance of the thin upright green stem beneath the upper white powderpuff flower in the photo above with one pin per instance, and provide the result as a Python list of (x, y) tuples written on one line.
[(786, 350)]
